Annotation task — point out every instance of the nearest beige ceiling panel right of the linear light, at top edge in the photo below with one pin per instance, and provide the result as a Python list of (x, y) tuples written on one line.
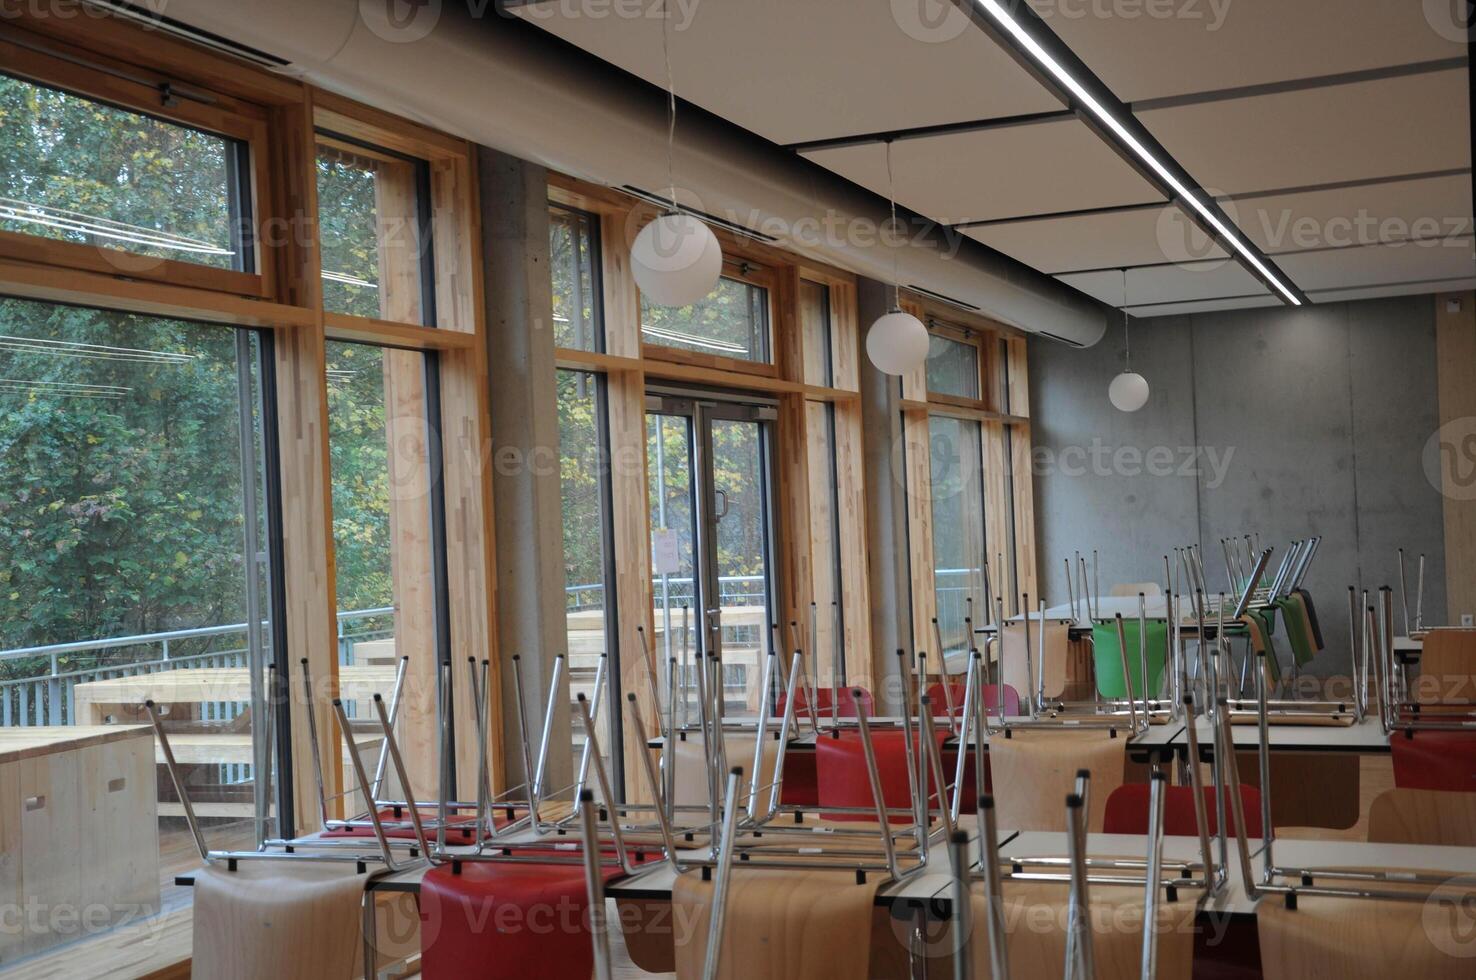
[(1151, 51)]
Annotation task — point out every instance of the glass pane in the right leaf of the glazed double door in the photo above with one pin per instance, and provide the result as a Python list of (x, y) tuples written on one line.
[(743, 559)]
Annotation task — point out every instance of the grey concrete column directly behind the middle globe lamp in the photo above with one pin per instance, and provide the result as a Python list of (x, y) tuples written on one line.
[(886, 505)]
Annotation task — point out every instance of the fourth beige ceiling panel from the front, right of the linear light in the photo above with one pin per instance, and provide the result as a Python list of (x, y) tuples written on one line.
[(1379, 265)]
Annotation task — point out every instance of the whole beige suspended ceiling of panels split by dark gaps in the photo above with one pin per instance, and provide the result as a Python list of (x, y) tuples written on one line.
[(1335, 134)]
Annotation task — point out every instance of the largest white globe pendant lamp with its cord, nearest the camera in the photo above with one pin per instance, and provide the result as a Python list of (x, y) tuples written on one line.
[(675, 259)]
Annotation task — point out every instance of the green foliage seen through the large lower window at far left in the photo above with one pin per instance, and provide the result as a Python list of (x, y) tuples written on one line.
[(122, 503)]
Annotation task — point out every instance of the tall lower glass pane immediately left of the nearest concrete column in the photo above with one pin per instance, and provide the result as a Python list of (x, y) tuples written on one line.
[(383, 548)]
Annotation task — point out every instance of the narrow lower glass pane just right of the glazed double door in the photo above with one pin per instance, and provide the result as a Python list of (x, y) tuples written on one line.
[(820, 418)]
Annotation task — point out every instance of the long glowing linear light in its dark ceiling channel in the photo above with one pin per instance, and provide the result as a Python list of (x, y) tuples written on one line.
[(1003, 17)]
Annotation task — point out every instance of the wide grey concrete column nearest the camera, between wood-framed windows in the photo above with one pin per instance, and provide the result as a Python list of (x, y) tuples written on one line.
[(525, 458)]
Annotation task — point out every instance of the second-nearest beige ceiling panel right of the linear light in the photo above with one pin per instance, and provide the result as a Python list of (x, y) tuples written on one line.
[(1298, 139)]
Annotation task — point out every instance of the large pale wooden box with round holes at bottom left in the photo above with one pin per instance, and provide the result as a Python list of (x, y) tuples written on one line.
[(79, 835)]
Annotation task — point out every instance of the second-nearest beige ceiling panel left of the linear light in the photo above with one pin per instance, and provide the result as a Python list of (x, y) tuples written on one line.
[(1009, 172)]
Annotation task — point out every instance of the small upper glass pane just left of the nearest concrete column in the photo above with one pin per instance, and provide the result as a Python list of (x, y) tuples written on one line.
[(370, 231)]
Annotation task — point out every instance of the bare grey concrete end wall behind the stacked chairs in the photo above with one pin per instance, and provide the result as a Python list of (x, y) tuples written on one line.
[(1292, 423)]
